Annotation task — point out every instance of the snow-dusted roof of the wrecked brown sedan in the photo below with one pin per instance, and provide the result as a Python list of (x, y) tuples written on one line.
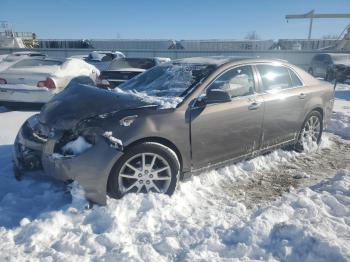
[(221, 60)]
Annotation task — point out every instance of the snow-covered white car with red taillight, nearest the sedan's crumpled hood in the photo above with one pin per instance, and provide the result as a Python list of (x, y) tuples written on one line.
[(38, 80)]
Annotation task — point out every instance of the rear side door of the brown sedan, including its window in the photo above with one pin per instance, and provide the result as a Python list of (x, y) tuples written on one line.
[(284, 102)]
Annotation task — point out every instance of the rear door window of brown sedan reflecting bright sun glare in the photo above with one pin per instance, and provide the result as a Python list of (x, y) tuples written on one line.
[(274, 77)]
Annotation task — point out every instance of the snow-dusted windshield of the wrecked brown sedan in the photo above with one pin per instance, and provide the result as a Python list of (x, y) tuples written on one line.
[(168, 80)]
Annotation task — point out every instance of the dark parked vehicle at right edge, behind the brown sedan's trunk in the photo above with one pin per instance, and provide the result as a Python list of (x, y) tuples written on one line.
[(328, 65)]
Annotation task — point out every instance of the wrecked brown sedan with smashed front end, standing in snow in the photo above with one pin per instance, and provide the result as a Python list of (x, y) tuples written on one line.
[(174, 120)]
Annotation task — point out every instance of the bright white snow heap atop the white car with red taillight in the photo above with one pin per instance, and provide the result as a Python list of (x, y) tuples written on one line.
[(74, 67)]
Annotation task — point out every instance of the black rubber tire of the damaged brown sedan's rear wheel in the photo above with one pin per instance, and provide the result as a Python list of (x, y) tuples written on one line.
[(316, 137)]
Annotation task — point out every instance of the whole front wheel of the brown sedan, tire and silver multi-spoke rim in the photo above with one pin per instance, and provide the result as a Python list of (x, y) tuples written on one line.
[(123, 179)]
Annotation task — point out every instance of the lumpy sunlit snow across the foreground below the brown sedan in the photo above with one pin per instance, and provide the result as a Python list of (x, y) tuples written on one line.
[(200, 222)]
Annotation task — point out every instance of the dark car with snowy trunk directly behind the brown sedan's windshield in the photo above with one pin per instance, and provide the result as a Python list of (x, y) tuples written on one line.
[(121, 70)]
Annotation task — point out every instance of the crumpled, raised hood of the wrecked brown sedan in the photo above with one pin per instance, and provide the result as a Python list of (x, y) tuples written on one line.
[(78, 102)]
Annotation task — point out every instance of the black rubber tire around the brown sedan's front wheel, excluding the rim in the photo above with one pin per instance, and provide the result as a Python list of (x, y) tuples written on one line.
[(146, 147)]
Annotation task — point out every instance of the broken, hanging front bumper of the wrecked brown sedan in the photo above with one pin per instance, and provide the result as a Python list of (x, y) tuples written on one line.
[(91, 168)]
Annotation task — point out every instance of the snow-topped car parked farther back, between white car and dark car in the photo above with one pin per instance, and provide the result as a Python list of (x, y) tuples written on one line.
[(100, 59)]
